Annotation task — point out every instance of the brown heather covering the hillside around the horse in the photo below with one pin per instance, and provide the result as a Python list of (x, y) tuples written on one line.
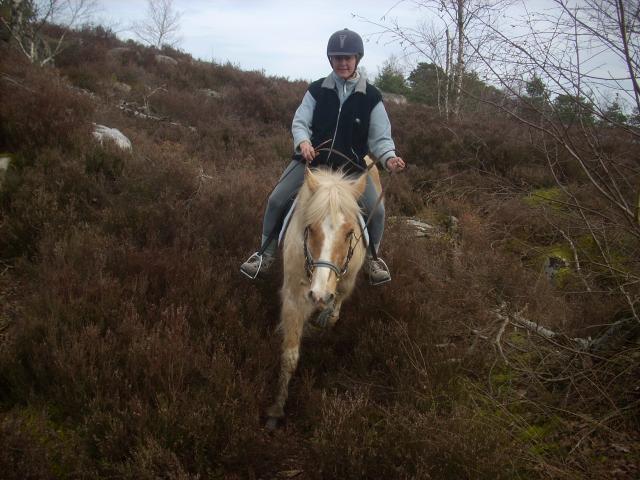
[(130, 346)]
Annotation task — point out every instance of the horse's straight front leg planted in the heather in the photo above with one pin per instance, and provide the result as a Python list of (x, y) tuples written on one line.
[(293, 318)]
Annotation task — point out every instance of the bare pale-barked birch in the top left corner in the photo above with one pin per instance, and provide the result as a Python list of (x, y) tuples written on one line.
[(28, 19)]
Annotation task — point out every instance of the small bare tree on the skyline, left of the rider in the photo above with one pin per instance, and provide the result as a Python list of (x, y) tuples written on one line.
[(161, 25)]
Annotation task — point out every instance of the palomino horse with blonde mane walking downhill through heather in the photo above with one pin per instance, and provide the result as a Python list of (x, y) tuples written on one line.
[(323, 253)]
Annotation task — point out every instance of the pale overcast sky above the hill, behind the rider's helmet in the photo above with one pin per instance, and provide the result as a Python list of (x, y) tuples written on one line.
[(282, 37)]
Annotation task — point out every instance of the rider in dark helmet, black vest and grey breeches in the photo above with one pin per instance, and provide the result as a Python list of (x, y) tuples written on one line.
[(345, 114)]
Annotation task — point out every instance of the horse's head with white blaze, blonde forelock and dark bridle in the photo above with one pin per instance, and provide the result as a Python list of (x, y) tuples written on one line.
[(331, 233)]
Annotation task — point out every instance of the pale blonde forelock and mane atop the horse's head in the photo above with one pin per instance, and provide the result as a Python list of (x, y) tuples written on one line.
[(334, 195)]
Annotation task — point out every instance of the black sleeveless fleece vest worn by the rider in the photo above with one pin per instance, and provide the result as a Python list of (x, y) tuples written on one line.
[(351, 127)]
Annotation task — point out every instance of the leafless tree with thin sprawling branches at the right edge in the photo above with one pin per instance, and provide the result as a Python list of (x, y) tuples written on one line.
[(585, 52)]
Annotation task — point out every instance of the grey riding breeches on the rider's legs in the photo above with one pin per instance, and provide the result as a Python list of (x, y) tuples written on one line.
[(286, 190)]
